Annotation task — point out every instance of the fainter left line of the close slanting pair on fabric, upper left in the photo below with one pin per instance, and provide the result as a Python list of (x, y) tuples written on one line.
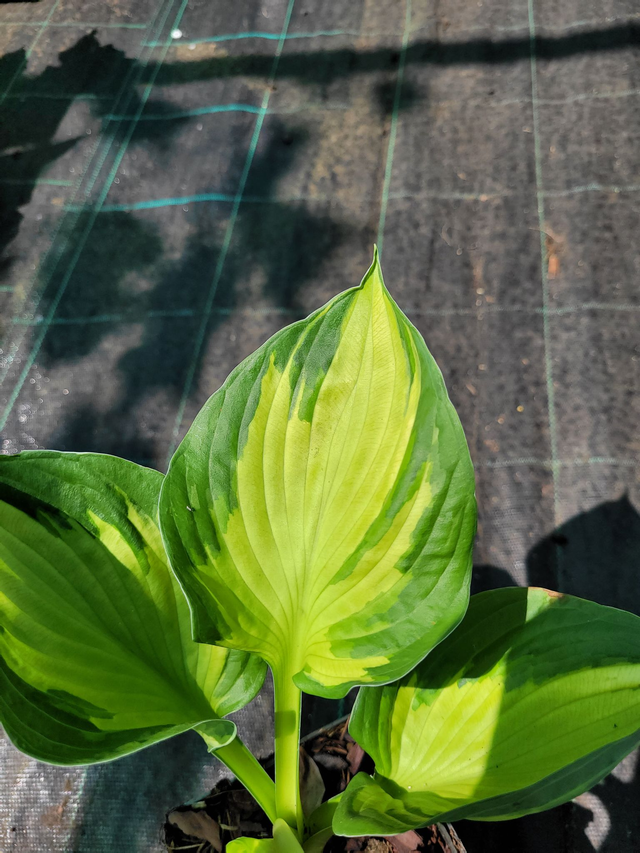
[(54, 254)]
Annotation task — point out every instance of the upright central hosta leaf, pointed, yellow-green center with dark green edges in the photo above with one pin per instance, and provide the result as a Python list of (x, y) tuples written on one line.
[(320, 510)]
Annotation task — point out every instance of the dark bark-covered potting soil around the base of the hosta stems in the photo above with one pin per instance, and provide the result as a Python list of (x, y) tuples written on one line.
[(328, 761)]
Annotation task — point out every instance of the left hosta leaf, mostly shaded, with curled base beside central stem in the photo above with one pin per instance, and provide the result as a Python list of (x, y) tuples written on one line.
[(96, 655)]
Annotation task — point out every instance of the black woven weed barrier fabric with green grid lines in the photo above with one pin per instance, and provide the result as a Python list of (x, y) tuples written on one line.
[(181, 178)]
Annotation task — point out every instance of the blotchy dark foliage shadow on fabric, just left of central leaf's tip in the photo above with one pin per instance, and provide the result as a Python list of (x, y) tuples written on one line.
[(180, 298)]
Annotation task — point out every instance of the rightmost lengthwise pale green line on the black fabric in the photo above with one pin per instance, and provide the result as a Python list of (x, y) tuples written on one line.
[(546, 326)]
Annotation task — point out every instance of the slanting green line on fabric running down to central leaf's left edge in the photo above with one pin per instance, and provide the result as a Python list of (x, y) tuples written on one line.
[(230, 228)]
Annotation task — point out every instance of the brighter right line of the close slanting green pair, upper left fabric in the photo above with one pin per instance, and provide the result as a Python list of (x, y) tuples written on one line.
[(81, 243)]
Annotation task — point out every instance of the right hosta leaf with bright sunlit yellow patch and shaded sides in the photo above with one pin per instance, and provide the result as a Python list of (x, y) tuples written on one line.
[(532, 700)]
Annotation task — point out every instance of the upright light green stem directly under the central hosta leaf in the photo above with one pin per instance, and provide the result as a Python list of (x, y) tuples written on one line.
[(288, 702)]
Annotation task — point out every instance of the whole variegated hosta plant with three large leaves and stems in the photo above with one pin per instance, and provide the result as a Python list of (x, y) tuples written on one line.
[(318, 519)]
